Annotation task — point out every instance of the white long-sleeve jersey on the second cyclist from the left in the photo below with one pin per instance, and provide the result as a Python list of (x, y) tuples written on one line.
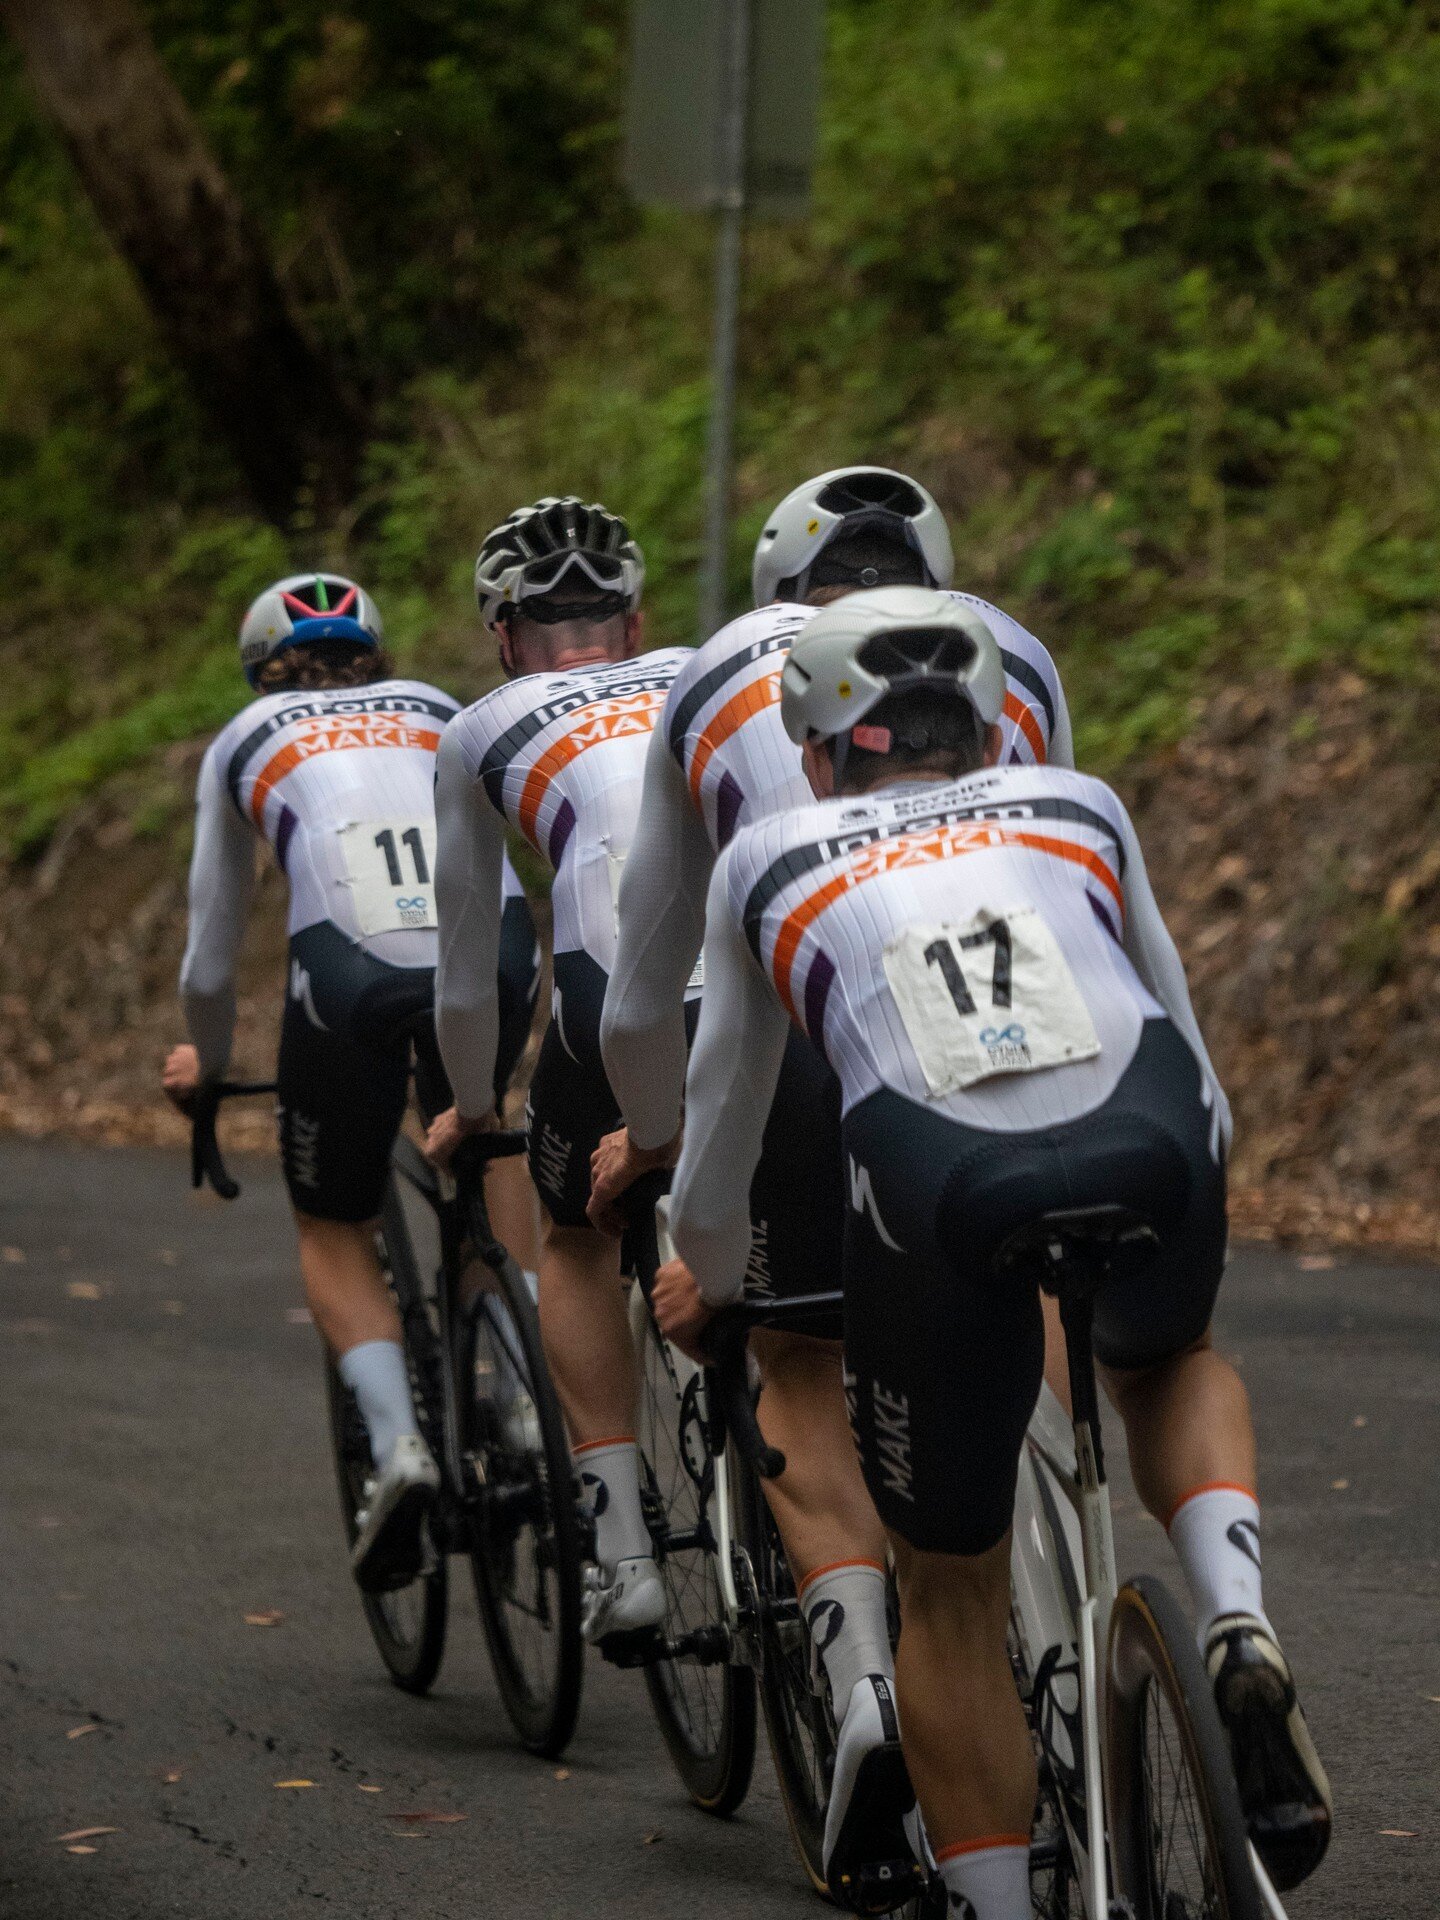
[(560, 757)]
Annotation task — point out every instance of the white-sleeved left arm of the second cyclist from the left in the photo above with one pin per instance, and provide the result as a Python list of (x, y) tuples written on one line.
[(469, 863)]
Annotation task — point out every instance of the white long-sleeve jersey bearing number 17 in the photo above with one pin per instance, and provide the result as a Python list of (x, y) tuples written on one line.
[(988, 949)]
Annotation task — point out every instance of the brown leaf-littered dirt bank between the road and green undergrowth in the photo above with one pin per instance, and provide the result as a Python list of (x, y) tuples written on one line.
[(1295, 848)]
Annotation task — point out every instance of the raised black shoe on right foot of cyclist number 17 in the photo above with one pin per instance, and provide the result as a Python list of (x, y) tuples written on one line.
[(1284, 1788)]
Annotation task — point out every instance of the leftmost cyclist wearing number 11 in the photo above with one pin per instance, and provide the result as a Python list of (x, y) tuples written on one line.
[(333, 765)]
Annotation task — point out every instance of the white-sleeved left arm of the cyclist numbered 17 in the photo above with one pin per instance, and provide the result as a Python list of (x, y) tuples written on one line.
[(729, 1095)]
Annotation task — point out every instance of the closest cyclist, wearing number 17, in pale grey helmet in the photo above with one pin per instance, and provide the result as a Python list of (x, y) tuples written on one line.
[(978, 953)]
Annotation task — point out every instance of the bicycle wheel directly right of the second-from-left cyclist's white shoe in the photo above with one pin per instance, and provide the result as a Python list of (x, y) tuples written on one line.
[(706, 1710)]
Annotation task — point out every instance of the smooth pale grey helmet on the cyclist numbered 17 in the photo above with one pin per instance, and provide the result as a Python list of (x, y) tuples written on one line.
[(867, 646)]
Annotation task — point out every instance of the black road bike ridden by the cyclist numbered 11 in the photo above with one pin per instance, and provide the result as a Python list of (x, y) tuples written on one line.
[(491, 1418)]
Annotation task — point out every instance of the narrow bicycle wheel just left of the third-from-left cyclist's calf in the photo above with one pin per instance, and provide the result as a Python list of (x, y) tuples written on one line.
[(798, 1721)]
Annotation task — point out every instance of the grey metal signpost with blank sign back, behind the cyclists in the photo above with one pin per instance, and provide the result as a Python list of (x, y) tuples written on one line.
[(723, 114)]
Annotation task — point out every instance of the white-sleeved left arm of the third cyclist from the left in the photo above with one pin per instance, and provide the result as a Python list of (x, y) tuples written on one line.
[(661, 930)]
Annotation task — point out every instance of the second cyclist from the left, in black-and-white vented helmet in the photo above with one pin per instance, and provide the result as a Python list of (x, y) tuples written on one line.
[(558, 756)]
